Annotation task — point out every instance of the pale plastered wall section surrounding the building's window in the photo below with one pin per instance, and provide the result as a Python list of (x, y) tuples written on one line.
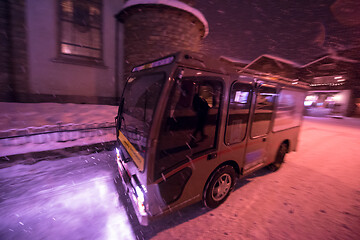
[(54, 80)]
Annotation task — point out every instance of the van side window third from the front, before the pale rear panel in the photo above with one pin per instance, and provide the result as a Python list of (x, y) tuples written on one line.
[(265, 99)]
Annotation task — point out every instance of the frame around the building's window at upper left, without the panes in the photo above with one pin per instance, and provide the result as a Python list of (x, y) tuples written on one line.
[(76, 58)]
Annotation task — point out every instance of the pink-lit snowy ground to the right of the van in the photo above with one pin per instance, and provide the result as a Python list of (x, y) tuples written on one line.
[(315, 195)]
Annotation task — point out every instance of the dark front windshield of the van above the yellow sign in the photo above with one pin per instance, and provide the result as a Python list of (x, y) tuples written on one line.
[(141, 97)]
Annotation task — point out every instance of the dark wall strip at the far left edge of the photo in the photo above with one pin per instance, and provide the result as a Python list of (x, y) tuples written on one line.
[(13, 51)]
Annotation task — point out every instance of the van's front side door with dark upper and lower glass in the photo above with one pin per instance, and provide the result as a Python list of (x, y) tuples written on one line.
[(188, 129)]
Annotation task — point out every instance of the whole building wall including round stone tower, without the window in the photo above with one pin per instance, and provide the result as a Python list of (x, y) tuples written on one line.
[(31, 70)]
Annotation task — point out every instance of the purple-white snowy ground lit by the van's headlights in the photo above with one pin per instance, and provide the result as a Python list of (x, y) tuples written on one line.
[(70, 198)]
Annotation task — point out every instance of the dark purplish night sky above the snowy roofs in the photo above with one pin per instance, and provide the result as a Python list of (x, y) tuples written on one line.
[(298, 30)]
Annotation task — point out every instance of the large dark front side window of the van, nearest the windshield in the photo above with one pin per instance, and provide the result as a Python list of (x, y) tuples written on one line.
[(190, 122)]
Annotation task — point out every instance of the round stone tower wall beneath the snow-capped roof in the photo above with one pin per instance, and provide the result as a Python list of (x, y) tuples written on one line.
[(153, 31)]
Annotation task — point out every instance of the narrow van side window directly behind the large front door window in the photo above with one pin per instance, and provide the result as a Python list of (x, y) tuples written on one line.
[(238, 112)]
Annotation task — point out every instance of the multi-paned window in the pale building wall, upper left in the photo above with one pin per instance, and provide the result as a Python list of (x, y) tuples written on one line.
[(80, 30)]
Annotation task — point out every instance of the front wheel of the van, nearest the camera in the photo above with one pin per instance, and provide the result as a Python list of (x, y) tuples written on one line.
[(219, 186)]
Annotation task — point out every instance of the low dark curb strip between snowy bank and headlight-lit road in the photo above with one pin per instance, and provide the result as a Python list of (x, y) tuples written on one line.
[(34, 157)]
